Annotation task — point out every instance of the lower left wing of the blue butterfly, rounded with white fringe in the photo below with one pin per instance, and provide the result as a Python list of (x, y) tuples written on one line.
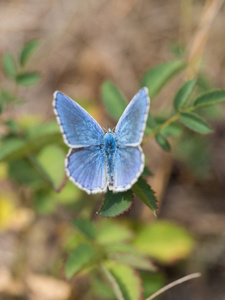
[(85, 167)]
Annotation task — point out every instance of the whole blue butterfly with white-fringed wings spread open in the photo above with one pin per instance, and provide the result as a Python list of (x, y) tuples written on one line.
[(97, 161)]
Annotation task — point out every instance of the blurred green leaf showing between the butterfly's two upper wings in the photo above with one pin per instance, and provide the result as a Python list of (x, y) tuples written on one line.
[(113, 100)]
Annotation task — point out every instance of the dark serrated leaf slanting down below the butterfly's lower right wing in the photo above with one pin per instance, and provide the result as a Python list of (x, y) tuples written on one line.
[(143, 191)]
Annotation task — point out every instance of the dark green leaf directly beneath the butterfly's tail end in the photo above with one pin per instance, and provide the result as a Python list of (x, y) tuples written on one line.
[(116, 204)]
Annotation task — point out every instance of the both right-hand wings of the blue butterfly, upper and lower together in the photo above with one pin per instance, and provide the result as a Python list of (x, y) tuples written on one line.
[(129, 157)]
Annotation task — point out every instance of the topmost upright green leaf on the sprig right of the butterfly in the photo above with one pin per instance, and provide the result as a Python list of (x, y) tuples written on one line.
[(183, 94)]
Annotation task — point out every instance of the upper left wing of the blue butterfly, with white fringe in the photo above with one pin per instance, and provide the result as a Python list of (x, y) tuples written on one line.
[(79, 129)]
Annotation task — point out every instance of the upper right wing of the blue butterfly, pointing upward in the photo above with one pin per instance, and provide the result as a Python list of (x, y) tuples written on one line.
[(130, 128)]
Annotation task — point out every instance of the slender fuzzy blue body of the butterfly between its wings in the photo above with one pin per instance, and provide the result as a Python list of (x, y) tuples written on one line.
[(110, 148)]
